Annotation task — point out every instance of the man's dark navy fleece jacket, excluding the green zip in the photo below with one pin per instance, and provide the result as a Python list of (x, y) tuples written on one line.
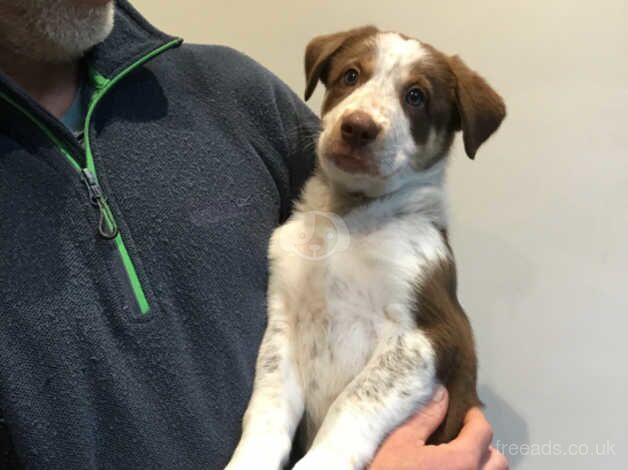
[(200, 152)]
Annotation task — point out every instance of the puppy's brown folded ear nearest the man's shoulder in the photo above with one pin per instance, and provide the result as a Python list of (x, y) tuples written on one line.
[(321, 49)]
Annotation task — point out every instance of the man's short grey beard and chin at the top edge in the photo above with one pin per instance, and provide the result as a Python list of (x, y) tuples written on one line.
[(55, 31)]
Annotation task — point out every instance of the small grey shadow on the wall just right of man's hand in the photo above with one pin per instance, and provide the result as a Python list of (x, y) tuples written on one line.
[(499, 411)]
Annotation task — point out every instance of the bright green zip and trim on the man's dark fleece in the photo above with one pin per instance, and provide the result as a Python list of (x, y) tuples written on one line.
[(107, 226)]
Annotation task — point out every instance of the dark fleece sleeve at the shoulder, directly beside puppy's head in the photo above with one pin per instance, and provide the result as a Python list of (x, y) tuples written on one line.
[(277, 122)]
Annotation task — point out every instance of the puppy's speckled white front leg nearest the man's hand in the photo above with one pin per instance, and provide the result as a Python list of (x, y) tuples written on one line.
[(397, 380)]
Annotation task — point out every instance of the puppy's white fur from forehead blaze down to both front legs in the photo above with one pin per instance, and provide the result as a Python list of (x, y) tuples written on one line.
[(342, 347)]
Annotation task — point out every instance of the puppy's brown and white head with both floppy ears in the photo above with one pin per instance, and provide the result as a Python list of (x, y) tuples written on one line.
[(392, 106)]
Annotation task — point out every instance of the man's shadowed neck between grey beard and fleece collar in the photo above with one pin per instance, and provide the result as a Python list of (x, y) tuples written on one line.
[(53, 86)]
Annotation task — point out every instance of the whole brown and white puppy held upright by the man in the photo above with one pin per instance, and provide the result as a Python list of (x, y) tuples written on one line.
[(363, 319)]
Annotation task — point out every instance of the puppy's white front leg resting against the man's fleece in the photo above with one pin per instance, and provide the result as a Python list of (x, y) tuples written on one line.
[(276, 405)]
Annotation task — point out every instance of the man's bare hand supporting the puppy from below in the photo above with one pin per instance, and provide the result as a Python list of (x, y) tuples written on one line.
[(405, 449)]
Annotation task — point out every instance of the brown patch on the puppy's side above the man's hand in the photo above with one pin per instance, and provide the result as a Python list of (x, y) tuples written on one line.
[(440, 316)]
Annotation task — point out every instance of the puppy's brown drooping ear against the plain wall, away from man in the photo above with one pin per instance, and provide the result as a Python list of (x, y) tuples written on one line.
[(480, 108)]
